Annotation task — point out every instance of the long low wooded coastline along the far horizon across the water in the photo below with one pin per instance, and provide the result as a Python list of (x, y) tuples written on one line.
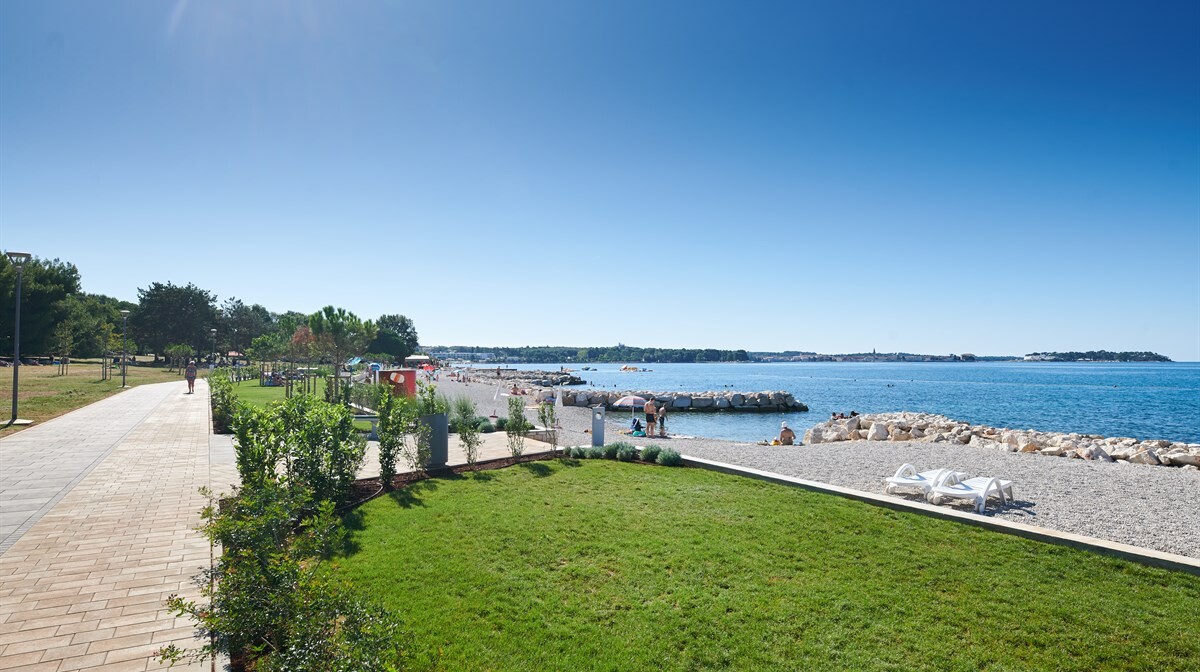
[(622, 353)]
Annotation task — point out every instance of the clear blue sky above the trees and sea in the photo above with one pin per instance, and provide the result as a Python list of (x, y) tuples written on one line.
[(994, 178)]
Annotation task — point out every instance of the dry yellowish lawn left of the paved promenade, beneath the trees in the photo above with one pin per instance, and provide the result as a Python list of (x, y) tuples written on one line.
[(46, 395)]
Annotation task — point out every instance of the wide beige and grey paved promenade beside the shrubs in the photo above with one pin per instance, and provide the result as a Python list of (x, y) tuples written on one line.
[(97, 517)]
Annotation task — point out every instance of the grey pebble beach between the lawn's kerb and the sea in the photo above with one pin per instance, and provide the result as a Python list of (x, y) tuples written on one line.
[(1142, 506)]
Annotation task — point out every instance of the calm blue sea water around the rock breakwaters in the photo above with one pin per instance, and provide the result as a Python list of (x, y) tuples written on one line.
[(1145, 401)]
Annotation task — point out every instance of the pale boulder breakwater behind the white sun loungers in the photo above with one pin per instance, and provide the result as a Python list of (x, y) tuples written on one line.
[(939, 429)]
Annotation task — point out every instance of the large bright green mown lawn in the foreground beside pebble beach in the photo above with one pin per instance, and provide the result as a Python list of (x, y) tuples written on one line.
[(608, 566)]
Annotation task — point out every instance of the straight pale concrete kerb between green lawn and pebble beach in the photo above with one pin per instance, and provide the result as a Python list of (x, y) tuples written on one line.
[(1135, 554)]
